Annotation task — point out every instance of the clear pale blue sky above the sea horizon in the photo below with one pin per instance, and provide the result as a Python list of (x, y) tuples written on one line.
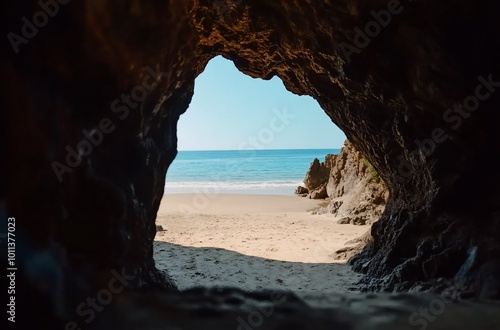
[(233, 111)]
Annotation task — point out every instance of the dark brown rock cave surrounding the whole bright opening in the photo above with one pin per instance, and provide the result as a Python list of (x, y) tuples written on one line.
[(92, 92)]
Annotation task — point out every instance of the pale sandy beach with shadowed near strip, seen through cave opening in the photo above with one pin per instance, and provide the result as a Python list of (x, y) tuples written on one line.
[(253, 242)]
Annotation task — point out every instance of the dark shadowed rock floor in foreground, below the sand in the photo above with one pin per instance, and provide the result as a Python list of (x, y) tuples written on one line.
[(234, 309)]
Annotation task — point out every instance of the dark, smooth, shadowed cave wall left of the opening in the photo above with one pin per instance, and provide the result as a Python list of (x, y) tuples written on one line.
[(92, 103)]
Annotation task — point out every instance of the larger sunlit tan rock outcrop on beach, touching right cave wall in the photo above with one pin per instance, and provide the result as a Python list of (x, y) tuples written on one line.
[(358, 194)]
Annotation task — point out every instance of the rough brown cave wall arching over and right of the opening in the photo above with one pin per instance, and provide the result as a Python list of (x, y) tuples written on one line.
[(395, 98)]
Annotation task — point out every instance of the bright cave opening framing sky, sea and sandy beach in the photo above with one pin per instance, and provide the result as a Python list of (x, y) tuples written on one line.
[(229, 216)]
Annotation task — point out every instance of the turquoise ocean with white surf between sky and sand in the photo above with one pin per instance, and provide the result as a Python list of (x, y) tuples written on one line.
[(273, 172)]
